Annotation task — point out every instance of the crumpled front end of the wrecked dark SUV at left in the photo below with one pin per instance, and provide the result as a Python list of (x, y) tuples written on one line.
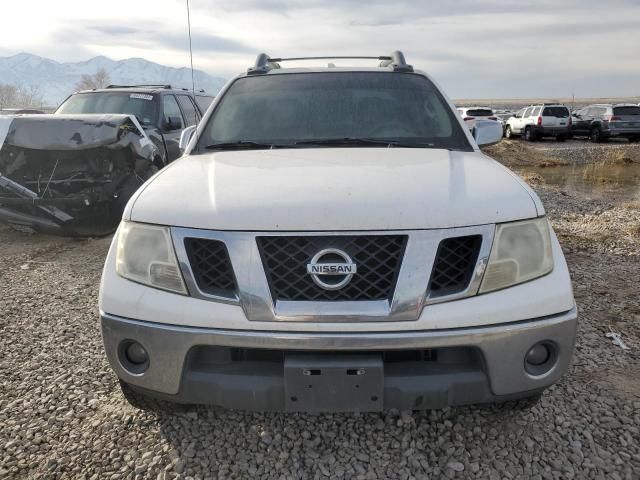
[(72, 175)]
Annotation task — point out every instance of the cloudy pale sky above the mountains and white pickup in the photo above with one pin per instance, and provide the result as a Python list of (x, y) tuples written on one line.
[(473, 49)]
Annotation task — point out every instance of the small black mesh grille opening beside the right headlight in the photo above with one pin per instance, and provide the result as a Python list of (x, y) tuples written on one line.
[(454, 264)]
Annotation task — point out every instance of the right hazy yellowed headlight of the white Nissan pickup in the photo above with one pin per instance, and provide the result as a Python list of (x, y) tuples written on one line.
[(521, 251)]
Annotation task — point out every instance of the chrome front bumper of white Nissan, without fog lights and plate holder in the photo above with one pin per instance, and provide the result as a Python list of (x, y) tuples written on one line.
[(246, 369)]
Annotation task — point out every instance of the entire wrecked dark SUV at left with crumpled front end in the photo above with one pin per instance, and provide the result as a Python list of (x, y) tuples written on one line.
[(72, 173)]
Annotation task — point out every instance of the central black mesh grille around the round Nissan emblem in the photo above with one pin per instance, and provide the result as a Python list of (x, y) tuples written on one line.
[(378, 259)]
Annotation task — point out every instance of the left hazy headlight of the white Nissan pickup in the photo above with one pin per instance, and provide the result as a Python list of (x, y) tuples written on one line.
[(145, 255)]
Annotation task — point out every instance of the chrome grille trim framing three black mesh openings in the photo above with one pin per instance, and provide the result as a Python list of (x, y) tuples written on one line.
[(410, 295)]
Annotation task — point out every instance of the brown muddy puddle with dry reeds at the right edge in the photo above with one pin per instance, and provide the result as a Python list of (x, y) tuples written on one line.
[(606, 181)]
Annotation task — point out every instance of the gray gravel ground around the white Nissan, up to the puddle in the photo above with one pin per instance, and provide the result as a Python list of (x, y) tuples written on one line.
[(62, 415)]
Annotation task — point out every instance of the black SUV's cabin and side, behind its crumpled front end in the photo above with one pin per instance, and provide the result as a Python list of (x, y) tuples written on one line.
[(163, 111)]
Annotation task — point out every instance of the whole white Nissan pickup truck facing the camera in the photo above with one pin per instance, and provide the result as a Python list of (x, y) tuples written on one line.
[(333, 239)]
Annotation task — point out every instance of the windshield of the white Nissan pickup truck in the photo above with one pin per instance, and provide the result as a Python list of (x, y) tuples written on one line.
[(286, 109)]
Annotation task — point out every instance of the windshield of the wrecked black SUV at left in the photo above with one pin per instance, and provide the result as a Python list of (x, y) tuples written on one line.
[(139, 104)]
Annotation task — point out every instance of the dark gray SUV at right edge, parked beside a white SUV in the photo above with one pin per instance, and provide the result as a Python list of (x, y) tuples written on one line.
[(603, 121)]
